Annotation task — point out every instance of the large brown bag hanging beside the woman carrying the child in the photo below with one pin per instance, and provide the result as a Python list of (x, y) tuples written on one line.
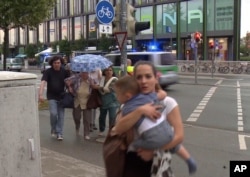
[(114, 152)]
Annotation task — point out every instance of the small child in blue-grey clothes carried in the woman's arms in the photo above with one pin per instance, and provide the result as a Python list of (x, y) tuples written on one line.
[(152, 135)]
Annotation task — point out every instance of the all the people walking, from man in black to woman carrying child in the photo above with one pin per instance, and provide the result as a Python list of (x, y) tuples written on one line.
[(153, 116)]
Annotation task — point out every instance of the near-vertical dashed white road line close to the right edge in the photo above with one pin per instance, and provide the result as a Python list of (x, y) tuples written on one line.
[(239, 109)]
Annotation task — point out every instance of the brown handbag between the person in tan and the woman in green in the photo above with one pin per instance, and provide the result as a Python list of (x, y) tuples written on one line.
[(94, 100)]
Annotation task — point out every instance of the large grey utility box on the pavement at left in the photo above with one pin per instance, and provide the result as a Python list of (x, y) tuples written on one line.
[(19, 127)]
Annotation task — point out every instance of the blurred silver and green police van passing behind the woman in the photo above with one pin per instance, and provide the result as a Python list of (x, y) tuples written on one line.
[(165, 63)]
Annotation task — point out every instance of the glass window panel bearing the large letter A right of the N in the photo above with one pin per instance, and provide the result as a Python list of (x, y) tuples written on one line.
[(195, 15)]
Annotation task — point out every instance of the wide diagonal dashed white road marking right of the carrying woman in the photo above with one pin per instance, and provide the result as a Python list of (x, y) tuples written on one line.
[(201, 106)]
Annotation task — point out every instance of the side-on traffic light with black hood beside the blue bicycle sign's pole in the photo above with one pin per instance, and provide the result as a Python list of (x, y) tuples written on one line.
[(133, 27)]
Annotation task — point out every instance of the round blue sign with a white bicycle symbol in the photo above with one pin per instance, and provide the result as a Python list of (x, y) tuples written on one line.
[(105, 12)]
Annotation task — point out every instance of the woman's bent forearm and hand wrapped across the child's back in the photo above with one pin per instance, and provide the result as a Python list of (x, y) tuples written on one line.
[(126, 122)]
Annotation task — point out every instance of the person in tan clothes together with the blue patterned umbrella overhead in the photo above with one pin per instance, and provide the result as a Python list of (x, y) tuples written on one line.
[(81, 85)]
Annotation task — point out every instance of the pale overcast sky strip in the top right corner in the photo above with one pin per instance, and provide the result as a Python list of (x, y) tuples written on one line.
[(245, 15)]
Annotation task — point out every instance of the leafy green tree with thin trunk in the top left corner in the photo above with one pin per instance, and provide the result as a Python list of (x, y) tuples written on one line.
[(22, 13)]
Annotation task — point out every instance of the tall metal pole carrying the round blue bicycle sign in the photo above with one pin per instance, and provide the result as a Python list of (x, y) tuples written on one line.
[(123, 20)]
